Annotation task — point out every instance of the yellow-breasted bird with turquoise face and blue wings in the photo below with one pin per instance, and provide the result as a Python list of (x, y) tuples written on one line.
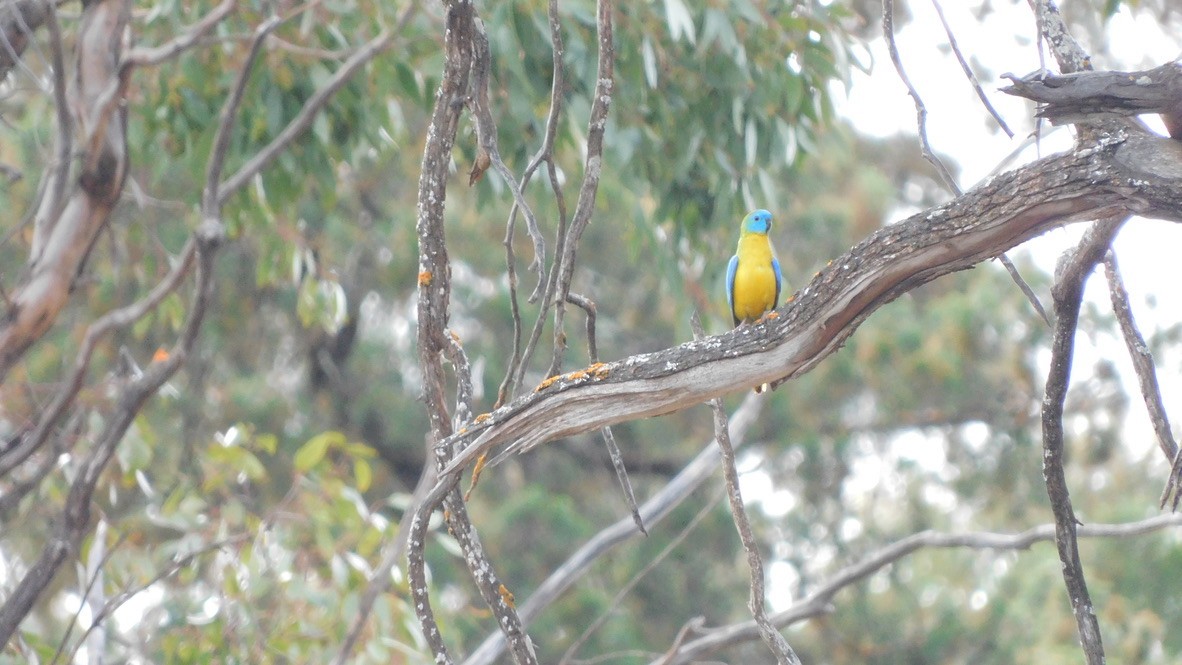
[(754, 276)]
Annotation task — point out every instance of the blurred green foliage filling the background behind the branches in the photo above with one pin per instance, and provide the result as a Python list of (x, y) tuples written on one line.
[(294, 438)]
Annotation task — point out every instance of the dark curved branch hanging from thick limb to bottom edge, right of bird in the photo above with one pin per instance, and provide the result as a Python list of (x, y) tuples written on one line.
[(1068, 295)]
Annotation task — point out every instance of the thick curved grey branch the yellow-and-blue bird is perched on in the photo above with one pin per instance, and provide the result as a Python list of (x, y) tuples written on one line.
[(1127, 174)]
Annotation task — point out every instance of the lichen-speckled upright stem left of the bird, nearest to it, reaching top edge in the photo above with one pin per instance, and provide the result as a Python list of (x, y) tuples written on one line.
[(593, 167)]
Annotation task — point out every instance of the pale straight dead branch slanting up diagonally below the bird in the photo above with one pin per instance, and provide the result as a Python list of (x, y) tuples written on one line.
[(653, 512)]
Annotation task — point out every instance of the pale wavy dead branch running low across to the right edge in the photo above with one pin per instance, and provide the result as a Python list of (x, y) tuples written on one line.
[(819, 602)]
